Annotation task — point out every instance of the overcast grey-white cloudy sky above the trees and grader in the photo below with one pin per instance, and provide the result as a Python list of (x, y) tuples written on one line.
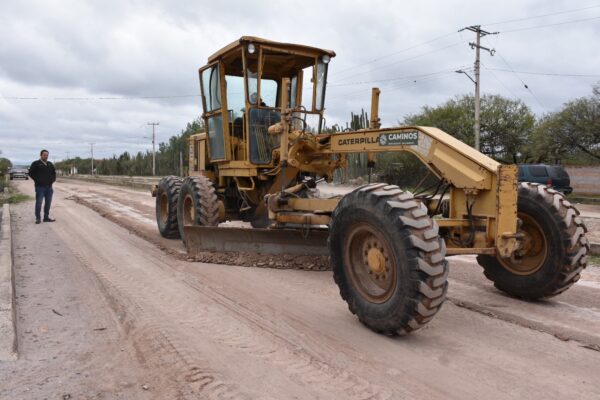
[(73, 72)]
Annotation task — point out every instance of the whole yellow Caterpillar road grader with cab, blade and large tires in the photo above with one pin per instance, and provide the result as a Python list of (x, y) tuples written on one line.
[(265, 148)]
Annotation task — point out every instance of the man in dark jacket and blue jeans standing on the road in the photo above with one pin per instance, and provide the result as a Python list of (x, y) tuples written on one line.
[(43, 174)]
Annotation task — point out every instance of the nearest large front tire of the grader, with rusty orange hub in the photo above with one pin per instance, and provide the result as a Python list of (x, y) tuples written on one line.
[(388, 259)]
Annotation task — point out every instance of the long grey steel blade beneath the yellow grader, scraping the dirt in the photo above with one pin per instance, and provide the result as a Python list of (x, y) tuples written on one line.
[(262, 241)]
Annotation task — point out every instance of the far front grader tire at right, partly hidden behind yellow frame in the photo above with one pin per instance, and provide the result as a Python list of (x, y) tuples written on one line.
[(555, 247)]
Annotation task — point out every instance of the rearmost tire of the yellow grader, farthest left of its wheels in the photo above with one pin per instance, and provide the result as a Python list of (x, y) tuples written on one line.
[(167, 196)]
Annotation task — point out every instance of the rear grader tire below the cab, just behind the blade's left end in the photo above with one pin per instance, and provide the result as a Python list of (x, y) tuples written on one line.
[(197, 204)]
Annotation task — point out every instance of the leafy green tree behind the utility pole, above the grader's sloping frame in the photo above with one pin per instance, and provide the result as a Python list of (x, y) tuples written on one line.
[(506, 125)]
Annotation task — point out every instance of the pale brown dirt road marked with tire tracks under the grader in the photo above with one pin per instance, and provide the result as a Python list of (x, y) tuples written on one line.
[(110, 310)]
